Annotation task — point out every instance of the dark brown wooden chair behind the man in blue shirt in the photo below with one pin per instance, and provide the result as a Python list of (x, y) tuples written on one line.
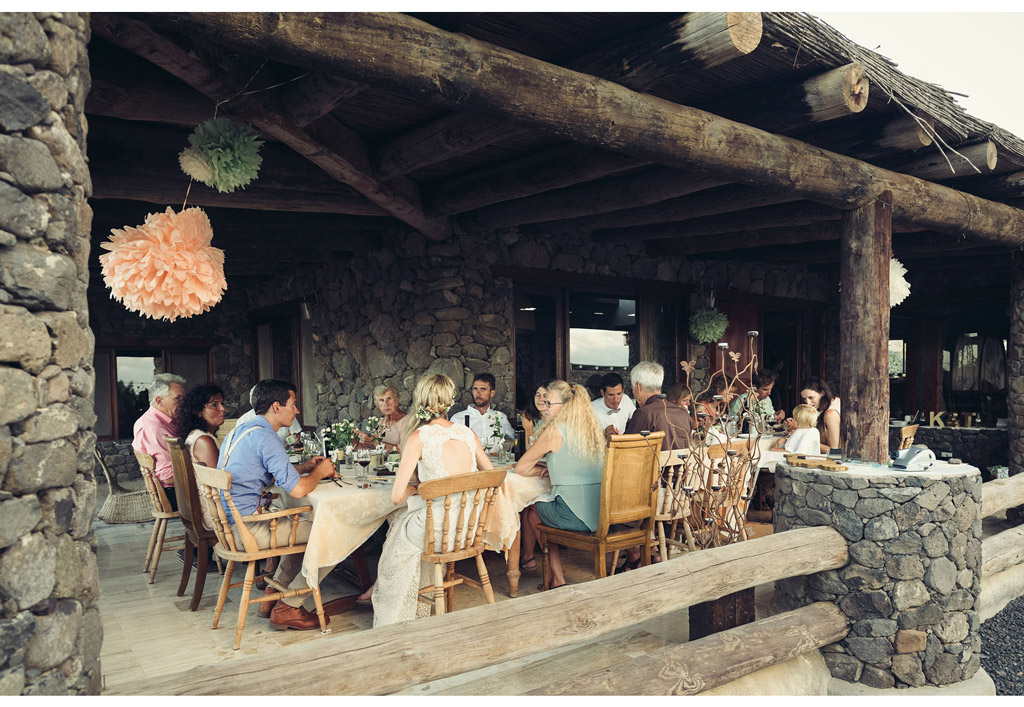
[(199, 538)]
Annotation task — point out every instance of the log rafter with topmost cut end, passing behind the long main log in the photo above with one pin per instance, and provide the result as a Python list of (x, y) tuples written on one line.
[(691, 43)]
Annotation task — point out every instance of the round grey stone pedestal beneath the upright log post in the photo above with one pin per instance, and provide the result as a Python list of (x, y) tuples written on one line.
[(913, 583)]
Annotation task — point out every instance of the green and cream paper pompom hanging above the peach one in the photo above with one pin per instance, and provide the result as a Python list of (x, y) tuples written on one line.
[(224, 155)]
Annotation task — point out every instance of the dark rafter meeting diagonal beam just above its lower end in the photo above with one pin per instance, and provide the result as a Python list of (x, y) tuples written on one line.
[(550, 170)]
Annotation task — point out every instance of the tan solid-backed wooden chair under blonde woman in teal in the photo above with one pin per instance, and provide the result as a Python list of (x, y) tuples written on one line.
[(629, 494)]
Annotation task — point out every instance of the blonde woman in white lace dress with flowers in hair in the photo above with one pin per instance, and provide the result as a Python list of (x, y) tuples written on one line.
[(438, 448)]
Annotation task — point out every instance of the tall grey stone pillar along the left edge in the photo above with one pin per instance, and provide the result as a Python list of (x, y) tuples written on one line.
[(51, 631)]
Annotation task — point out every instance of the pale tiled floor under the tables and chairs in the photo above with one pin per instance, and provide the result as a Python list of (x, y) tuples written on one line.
[(149, 631)]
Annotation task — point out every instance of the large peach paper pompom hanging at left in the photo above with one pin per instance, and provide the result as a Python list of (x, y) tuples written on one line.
[(166, 268)]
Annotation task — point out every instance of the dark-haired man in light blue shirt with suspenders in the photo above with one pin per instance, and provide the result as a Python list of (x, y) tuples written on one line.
[(257, 459)]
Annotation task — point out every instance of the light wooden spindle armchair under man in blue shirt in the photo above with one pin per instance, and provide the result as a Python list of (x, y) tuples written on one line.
[(215, 483)]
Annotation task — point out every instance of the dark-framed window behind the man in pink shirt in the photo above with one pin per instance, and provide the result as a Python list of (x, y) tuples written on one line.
[(124, 371)]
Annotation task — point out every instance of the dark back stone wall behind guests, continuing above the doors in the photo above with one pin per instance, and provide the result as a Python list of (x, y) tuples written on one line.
[(390, 316)]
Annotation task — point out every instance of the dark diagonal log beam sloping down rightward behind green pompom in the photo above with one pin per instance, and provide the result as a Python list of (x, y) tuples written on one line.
[(326, 143)]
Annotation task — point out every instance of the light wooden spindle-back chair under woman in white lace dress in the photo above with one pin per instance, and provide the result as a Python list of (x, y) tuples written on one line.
[(475, 494)]
